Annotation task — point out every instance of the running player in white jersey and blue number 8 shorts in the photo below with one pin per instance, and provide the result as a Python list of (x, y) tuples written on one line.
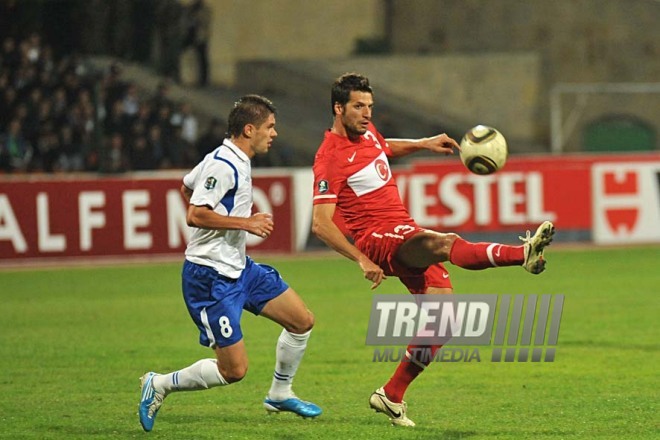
[(219, 280)]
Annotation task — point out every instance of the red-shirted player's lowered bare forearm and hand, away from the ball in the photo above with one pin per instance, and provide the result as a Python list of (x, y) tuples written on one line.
[(324, 228)]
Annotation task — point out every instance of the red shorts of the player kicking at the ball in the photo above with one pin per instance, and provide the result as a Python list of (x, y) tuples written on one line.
[(381, 243)]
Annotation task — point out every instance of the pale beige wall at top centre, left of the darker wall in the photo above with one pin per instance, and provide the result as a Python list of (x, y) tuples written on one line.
[(286, 29)]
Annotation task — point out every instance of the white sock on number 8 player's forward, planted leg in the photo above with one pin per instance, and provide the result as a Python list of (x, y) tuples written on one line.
[(289, 353)]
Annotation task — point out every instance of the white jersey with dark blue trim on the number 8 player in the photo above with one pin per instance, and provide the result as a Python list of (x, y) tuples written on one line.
[(221, 181)]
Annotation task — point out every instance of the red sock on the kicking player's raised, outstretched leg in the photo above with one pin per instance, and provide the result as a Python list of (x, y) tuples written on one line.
[(477, 256)]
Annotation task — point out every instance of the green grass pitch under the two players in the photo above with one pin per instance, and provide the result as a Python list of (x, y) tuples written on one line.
[(73, 342)]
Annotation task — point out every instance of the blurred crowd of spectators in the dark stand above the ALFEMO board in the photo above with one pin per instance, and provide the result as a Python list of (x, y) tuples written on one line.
[(60, 115)]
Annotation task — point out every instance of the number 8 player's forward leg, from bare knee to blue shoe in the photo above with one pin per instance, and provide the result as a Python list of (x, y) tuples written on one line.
[(290, 312)]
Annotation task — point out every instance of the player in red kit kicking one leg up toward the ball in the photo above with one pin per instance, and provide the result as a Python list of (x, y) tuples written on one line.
[(352, 175)]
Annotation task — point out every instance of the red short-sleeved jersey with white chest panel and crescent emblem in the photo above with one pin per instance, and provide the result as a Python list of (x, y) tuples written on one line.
[(356, 176)]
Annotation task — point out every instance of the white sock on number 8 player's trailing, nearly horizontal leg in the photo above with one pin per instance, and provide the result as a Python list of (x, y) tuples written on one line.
[(201, 375)]
